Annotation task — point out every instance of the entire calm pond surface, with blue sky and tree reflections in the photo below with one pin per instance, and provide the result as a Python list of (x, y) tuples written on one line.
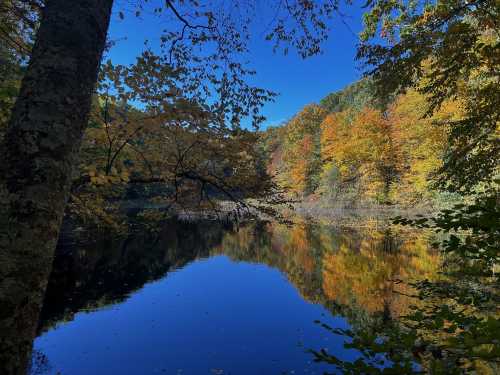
[(203, 298)]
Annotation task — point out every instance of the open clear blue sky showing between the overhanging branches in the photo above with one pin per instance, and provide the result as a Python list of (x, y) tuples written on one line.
[(297, 81)]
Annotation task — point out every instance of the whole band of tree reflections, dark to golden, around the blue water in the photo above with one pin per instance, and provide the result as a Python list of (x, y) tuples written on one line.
[(352, 272)]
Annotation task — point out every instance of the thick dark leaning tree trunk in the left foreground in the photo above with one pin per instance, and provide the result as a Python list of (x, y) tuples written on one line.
[(40, 151)]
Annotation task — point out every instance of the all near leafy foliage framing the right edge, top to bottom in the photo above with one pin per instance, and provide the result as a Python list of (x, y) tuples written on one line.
[(448, 51)]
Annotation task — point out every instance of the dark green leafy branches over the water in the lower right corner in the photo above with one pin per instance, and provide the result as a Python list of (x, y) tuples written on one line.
[(454, 326)]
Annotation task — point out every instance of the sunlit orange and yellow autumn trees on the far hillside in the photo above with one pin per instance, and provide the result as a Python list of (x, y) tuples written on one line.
[(354, 149)]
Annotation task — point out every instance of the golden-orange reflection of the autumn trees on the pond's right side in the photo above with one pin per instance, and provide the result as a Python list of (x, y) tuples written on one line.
[(354, 267)]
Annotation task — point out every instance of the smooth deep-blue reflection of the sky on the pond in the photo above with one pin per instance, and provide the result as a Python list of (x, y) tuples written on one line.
[(214, 316)]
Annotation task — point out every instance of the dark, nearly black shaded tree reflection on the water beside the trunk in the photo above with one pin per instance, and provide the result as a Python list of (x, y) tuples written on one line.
[(92, 273)]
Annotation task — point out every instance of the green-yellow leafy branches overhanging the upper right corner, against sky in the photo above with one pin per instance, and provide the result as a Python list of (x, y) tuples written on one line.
[(447, 50)]
